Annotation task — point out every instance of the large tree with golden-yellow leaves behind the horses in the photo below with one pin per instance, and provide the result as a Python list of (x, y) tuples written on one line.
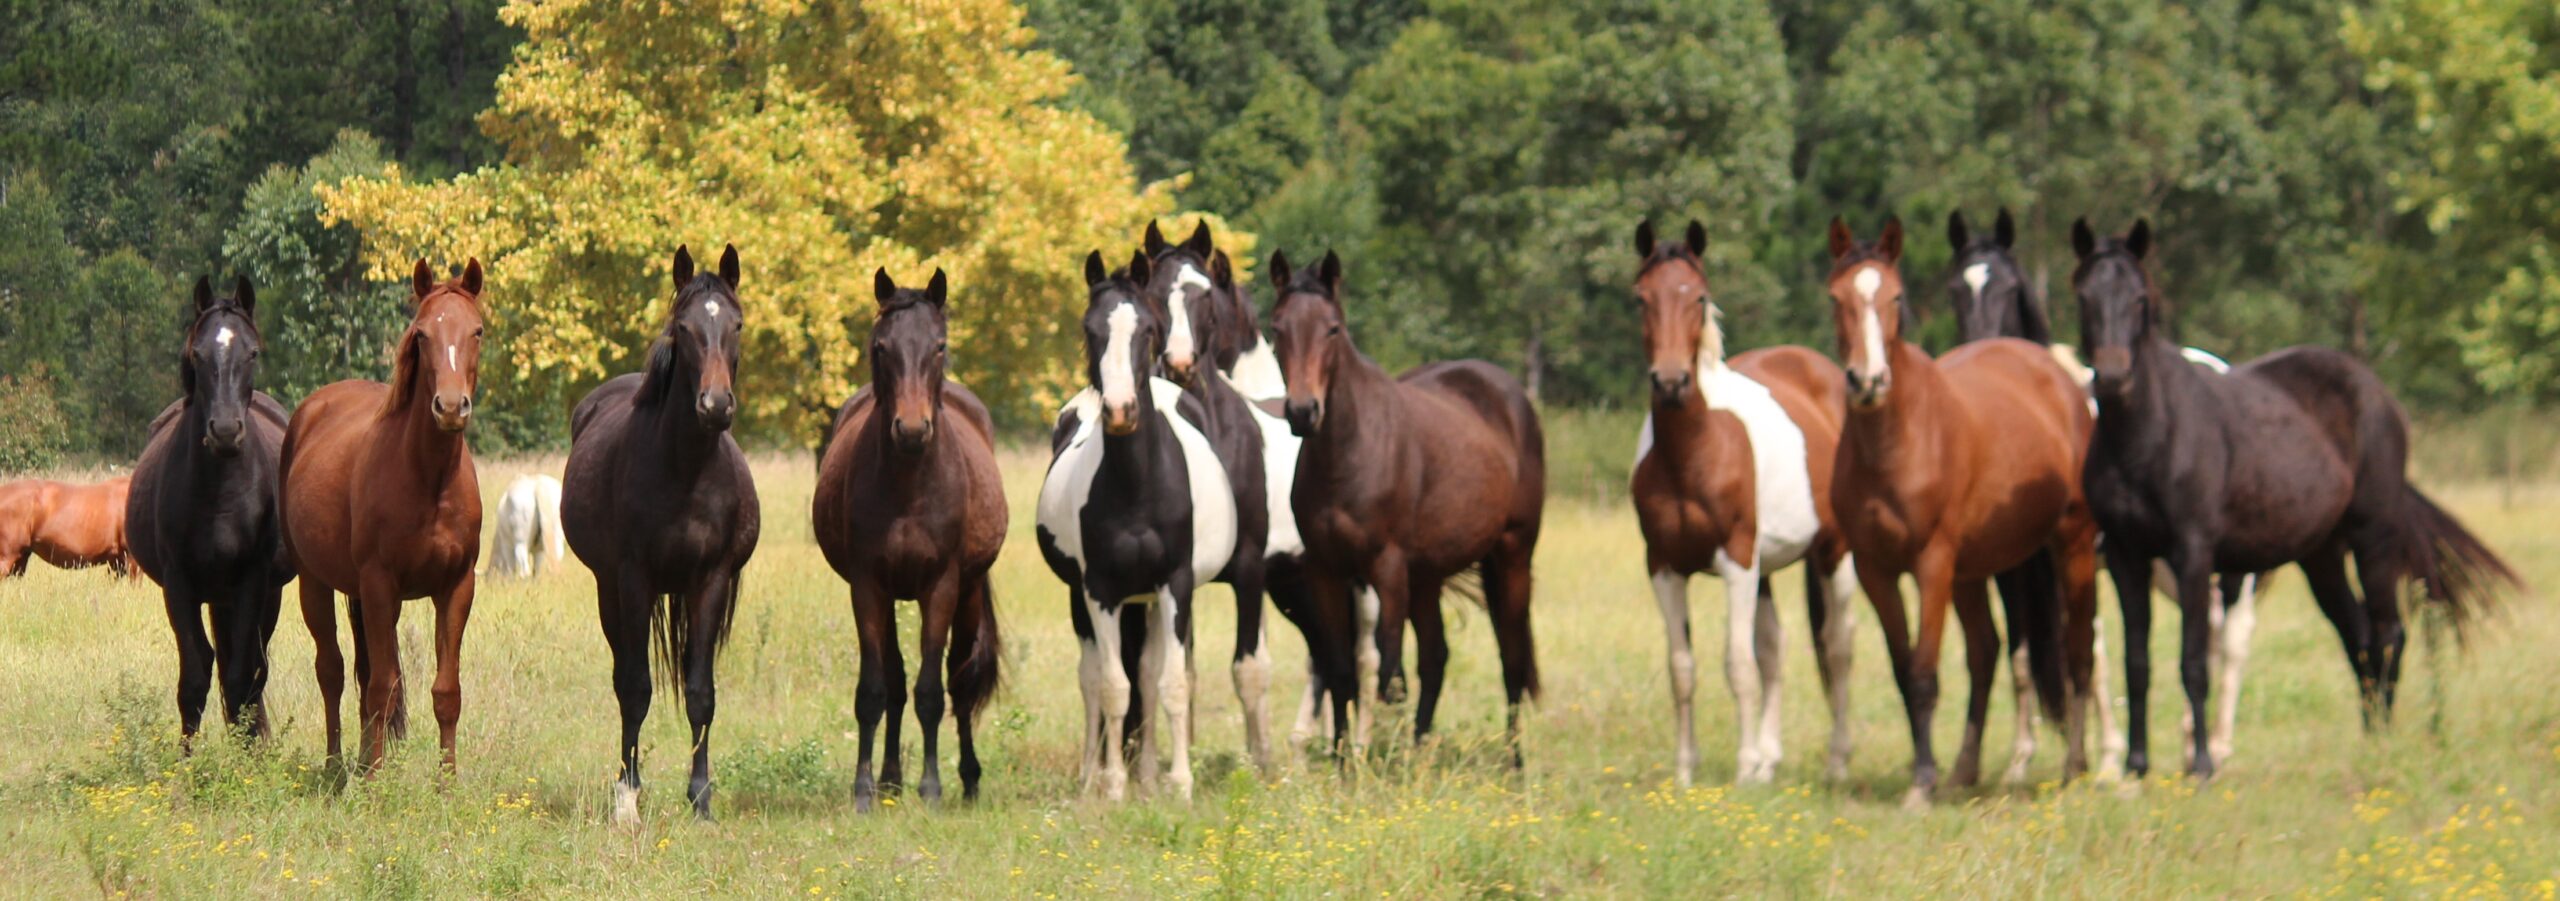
[(823, 140)]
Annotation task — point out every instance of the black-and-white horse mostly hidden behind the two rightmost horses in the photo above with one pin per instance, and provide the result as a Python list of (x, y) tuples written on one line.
[(1993, 301)]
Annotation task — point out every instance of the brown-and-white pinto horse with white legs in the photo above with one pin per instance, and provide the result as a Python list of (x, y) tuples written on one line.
[(1734, 477)]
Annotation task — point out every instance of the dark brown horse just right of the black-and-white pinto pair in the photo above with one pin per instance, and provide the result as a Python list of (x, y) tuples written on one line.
[(1402, 485)]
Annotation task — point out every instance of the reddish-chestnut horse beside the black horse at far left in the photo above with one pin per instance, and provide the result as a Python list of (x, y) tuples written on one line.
[(383, 506)]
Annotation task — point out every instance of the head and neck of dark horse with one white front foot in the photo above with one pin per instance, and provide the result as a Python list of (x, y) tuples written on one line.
[(700, 342)]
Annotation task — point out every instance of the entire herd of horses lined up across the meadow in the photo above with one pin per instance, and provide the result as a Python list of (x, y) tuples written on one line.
[(1292, 467)]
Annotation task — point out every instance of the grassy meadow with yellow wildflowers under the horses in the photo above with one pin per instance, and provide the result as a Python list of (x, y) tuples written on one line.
[(2464, 797)]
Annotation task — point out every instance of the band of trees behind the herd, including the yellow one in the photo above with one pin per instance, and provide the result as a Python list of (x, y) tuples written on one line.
[(2369, 175)]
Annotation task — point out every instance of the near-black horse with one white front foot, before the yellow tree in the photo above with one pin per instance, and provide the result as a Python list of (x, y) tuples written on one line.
[(662, 508)]
